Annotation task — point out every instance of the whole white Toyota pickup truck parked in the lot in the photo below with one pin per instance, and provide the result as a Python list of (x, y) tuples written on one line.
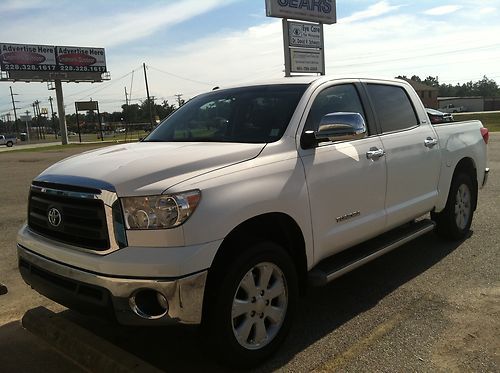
[(242, 198)]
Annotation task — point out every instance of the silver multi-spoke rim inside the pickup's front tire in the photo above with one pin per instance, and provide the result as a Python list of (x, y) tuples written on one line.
[(259, 306)]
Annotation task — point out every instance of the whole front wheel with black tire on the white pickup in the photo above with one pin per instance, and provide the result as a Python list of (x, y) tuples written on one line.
[(251, 305)]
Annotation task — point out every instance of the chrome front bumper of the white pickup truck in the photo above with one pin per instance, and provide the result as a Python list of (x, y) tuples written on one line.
[(90, 292)]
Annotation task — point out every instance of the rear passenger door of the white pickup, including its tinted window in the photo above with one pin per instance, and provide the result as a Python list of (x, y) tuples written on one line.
[(412, 152)]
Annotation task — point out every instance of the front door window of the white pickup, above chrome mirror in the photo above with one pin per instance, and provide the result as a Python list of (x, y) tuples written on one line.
[(339, 98)]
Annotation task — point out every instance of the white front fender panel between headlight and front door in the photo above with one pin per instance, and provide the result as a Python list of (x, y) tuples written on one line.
[(267, 184)]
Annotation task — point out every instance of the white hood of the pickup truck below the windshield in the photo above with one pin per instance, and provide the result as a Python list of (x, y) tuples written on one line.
[(147, 167)]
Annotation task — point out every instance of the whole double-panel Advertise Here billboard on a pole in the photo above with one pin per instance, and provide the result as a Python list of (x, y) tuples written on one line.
[(51, 59)]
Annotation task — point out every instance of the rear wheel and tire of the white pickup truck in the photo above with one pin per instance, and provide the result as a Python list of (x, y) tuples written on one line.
[(453, 223)]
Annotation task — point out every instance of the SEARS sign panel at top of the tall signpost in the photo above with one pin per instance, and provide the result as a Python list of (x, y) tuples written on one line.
[(321, 11)]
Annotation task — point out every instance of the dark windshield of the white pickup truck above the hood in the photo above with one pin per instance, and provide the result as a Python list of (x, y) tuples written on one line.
[(257, 114)]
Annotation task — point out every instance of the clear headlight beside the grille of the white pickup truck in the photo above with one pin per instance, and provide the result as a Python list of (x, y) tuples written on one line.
[(159, 212)]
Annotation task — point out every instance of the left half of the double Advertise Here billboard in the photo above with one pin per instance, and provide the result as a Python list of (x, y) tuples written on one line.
[(24, 57)]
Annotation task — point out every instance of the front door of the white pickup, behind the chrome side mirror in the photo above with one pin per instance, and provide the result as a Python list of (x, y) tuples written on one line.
[(346, 188)]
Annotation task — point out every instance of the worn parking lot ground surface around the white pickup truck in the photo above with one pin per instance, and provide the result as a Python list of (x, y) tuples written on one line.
[(428, 306)]
